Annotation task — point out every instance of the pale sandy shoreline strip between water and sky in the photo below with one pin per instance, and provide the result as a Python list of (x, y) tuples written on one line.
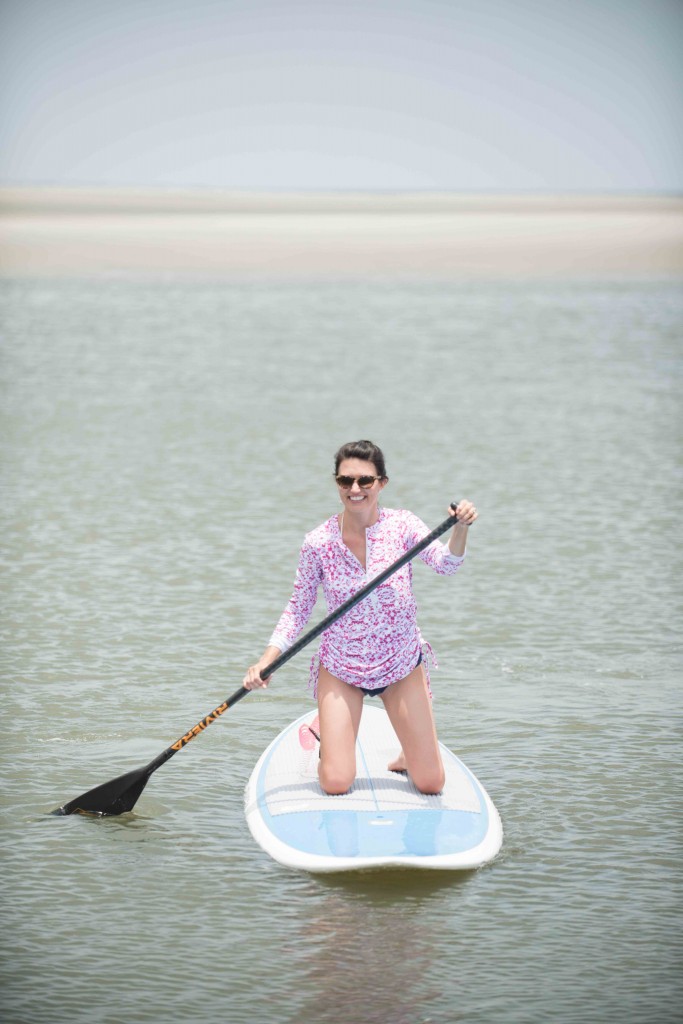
[(340, 236)]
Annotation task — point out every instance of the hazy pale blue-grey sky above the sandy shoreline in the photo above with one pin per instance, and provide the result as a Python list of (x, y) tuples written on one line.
[(464, 95)]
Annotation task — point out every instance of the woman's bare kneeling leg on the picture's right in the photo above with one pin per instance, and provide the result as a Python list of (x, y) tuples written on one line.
[(409, 708)]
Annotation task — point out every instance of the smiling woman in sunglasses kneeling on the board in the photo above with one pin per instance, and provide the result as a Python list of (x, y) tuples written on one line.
[(376, 649)]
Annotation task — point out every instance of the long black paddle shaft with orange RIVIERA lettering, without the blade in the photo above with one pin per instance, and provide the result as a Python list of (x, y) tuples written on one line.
[(305, 642)]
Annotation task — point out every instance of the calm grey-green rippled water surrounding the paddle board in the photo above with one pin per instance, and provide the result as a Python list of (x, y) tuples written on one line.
[(165, 448)]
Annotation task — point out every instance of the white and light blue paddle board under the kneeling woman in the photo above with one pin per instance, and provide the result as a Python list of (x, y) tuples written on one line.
[(382, 822)]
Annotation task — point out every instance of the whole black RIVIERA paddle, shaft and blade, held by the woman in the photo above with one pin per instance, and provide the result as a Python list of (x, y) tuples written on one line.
[(121, 794)]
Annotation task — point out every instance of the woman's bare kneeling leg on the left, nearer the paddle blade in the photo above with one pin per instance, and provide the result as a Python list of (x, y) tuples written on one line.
[(340, 707)]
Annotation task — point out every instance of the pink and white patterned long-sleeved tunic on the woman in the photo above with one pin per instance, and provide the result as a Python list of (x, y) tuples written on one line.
[(378, 643)]
